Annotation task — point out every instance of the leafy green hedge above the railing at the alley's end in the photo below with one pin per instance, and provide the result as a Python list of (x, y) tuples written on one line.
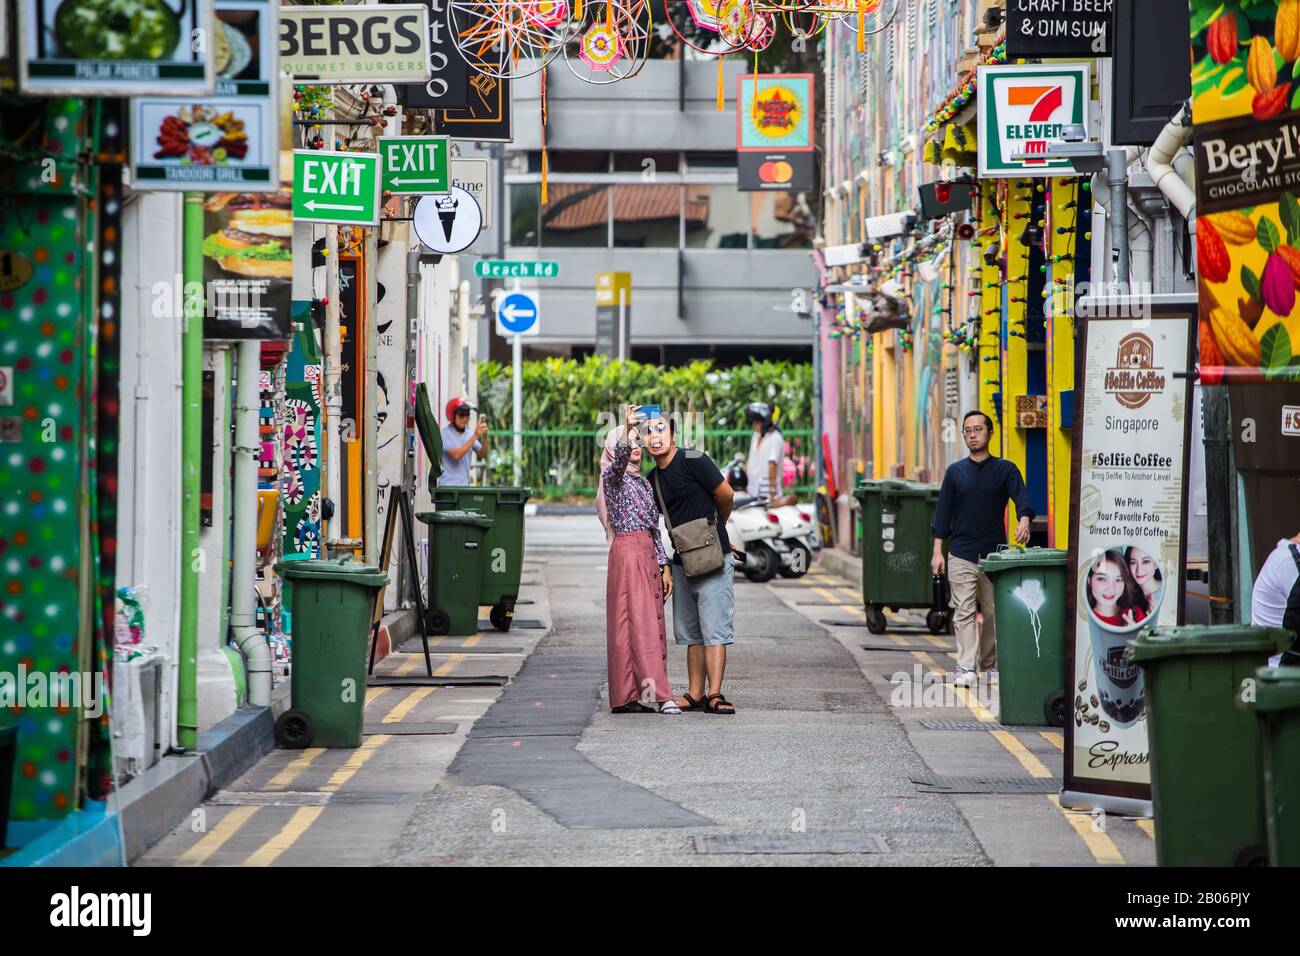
[(573, 395)]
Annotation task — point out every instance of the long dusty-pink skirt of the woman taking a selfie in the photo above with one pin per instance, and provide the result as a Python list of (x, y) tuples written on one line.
[(635, 630)]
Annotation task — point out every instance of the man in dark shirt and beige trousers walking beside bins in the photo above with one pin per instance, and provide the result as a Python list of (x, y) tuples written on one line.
[(970, 514)]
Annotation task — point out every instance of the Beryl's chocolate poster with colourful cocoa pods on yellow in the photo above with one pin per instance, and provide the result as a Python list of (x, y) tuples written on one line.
[(1246, 110)]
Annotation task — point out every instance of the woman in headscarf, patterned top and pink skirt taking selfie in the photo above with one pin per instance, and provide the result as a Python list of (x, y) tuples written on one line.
[(639, 582)]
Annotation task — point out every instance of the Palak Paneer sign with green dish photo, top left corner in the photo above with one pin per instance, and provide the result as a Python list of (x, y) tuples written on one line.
[(115, 47)]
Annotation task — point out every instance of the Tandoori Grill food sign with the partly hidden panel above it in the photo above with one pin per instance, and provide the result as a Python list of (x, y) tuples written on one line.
[(223, 142)]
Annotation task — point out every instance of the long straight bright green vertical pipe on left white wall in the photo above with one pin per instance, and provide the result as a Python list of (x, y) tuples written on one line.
[(192, 457)]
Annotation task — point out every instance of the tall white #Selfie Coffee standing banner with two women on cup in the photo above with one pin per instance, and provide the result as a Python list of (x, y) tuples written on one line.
[(1126, 548)]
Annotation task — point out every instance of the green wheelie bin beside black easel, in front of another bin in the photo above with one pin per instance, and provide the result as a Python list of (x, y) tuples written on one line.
[(456, 570)]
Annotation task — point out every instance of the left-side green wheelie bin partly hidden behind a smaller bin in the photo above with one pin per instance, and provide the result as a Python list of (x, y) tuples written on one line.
[(504, 544)]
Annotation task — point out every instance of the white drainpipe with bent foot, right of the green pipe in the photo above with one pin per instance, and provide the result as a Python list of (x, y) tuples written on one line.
[(252, 642)]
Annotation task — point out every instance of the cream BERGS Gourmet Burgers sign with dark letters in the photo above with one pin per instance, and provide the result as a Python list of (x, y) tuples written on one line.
[(352, 45)]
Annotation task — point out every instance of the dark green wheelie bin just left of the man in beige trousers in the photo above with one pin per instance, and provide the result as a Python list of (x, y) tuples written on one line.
[(896, 548)]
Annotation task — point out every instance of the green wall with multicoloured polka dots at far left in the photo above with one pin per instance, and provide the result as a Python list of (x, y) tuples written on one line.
[(42, 473)]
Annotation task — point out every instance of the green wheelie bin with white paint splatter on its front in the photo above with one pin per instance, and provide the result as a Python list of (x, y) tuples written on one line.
[(1029, 604)]
